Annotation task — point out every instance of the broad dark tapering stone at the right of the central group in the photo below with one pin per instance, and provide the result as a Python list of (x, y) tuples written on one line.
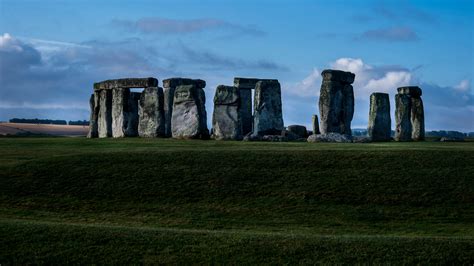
[(268, 119)]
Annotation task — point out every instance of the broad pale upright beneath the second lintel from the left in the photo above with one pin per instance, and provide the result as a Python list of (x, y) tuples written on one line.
[(189, 116)]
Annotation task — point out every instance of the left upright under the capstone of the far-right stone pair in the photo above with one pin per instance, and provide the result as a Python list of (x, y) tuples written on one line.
[(403, 126)]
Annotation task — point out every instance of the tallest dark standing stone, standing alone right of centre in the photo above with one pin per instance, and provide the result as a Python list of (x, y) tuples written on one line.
[(336, 102)]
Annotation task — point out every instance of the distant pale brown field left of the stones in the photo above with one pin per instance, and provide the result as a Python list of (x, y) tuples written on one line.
[(42, 129)]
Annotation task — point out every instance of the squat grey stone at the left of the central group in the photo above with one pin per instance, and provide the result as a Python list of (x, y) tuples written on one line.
[(226, 122)]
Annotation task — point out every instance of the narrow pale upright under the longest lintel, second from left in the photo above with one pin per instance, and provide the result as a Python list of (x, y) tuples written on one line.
[(104, 125)]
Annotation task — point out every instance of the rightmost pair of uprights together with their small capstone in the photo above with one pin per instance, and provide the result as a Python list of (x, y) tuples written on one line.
[(409, 114)]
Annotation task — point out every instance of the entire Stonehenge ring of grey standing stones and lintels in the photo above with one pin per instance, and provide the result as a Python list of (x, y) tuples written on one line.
[(178, 110)]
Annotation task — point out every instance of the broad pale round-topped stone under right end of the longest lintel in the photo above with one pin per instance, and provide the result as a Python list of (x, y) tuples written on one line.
[(151, 113)]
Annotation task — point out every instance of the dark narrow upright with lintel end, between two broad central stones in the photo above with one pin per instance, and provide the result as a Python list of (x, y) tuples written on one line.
[(245, 87)]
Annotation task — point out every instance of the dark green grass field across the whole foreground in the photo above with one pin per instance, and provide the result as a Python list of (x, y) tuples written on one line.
[(77, 200)]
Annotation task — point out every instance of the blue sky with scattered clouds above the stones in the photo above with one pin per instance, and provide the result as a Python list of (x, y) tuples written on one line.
[(51, 51)]
